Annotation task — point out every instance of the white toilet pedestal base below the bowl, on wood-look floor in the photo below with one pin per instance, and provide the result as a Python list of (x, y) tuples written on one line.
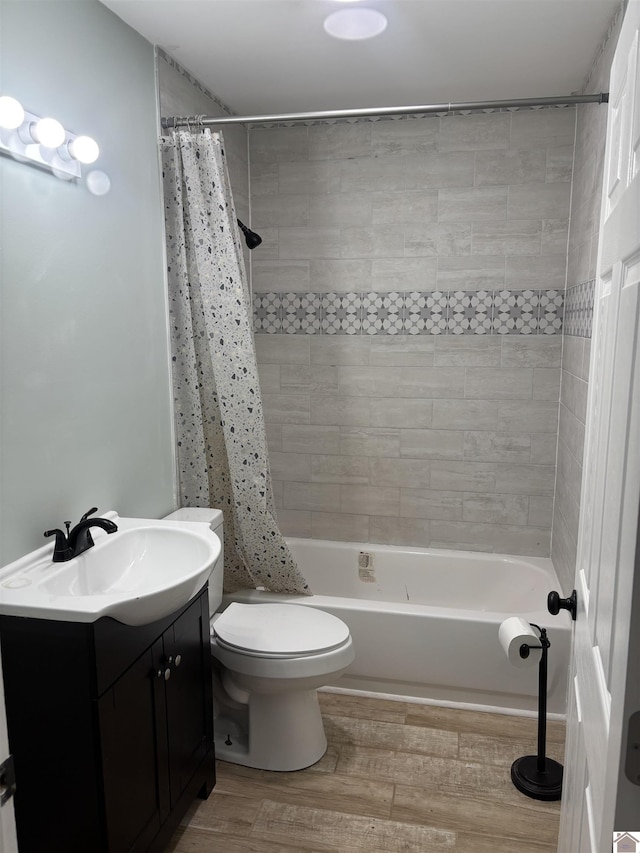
[(285, 733)]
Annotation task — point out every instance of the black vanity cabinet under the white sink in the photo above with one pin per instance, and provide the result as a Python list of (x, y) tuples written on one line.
[(111, 729)]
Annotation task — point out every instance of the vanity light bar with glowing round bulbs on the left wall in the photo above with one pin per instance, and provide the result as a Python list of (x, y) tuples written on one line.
[(43, 142)]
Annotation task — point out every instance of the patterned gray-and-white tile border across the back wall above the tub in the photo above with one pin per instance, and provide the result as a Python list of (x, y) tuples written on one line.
[(453, 312)]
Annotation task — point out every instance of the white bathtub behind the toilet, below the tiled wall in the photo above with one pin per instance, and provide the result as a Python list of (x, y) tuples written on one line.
[(425, 622)]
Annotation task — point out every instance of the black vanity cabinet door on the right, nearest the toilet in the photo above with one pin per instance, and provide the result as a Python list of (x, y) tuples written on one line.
[(188, 694)]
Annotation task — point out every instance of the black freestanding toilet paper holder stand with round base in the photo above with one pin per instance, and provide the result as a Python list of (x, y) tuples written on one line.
[(537, 776)]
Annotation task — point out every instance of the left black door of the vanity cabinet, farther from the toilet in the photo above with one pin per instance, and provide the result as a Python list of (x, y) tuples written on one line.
[(131, 754)]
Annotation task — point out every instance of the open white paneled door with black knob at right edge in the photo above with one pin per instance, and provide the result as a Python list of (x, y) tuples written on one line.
[(601, 695)]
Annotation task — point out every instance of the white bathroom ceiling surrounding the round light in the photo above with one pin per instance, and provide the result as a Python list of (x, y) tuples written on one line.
[(273, 56)]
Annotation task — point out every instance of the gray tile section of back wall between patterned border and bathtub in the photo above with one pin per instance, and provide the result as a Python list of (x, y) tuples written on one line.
[(414, 441)]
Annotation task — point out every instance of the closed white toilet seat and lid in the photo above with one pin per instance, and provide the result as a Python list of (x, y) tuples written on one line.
[(279, 630)]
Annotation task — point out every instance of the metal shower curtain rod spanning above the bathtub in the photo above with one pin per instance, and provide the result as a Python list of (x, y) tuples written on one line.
[(206, 121)]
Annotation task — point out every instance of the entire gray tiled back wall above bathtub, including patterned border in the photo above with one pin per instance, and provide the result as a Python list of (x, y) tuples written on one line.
[(408, 301)]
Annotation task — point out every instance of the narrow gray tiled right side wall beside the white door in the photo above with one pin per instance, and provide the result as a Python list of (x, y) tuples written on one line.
[(581, 273)]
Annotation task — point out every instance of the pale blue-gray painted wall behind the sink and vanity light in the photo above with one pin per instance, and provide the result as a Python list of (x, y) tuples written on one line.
[(85, 384)]
